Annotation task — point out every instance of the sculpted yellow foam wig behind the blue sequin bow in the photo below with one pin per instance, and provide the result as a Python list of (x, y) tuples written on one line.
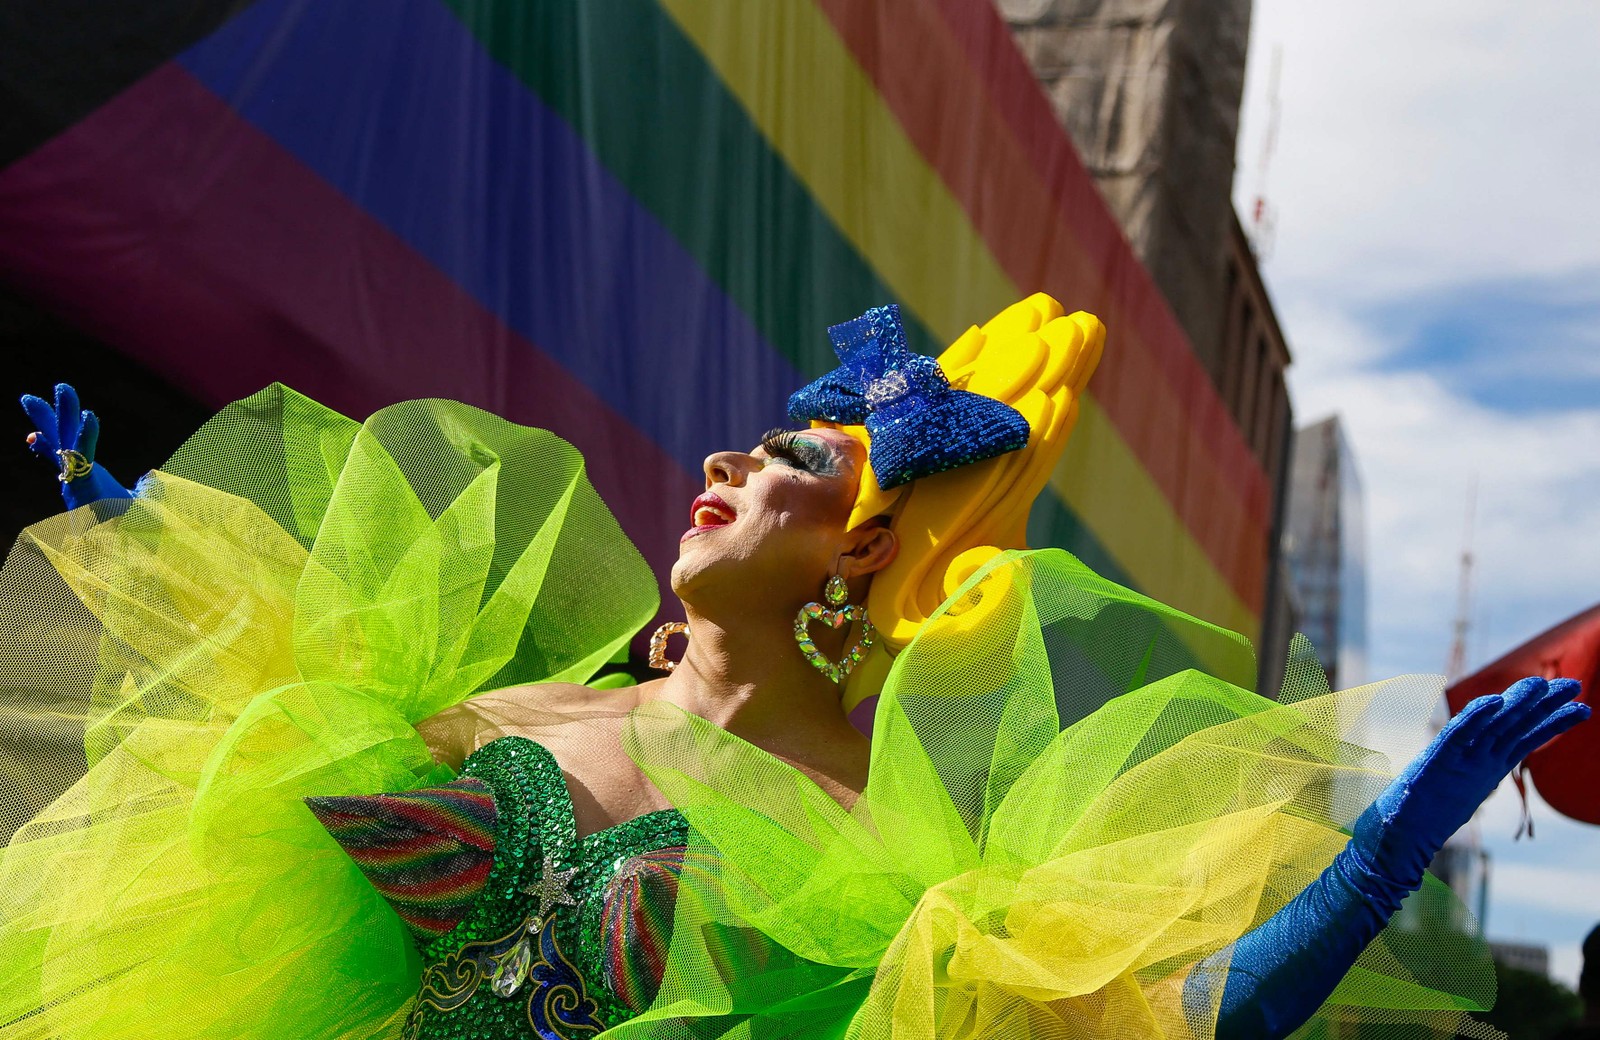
[(1033, 358)]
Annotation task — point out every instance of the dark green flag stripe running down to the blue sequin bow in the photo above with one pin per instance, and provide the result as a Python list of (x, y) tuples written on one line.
[(655, 113)]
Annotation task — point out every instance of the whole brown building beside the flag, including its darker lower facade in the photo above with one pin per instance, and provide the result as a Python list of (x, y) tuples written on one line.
[(1150, 90)]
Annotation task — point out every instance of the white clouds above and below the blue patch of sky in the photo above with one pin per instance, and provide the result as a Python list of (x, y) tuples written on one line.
[(1430, 146)]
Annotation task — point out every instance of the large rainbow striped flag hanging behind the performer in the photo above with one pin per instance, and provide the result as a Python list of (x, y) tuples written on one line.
[(630, 222)]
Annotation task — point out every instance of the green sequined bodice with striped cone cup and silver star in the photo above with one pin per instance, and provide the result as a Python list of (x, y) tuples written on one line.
[(559, 943)]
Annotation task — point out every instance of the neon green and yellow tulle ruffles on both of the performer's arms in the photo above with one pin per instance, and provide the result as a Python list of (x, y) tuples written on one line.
[(1065, 830)]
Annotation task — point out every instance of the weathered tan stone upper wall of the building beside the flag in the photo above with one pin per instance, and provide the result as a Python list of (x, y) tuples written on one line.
[(1150, 92)]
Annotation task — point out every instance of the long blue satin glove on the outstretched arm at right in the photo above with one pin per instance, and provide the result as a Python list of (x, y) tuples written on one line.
[(1282, 972)]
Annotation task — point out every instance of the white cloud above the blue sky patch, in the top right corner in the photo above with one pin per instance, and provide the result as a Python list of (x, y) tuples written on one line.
[(1428, 142)]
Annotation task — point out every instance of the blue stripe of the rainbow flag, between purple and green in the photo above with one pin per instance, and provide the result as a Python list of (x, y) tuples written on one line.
[(399, 108)]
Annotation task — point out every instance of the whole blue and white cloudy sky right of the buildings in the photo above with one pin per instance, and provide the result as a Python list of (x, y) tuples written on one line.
[(1434, 258)]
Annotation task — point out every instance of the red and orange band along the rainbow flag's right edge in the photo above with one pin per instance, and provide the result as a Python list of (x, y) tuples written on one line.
[(1150, 383)]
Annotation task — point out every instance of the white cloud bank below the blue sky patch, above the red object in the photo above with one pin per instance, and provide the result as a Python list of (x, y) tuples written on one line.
[(1418, 450)]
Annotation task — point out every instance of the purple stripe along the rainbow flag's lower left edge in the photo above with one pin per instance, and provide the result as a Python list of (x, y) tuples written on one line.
[(214, 225)]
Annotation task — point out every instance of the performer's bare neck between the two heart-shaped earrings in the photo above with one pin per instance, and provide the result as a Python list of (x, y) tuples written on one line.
[(743, 673)]
